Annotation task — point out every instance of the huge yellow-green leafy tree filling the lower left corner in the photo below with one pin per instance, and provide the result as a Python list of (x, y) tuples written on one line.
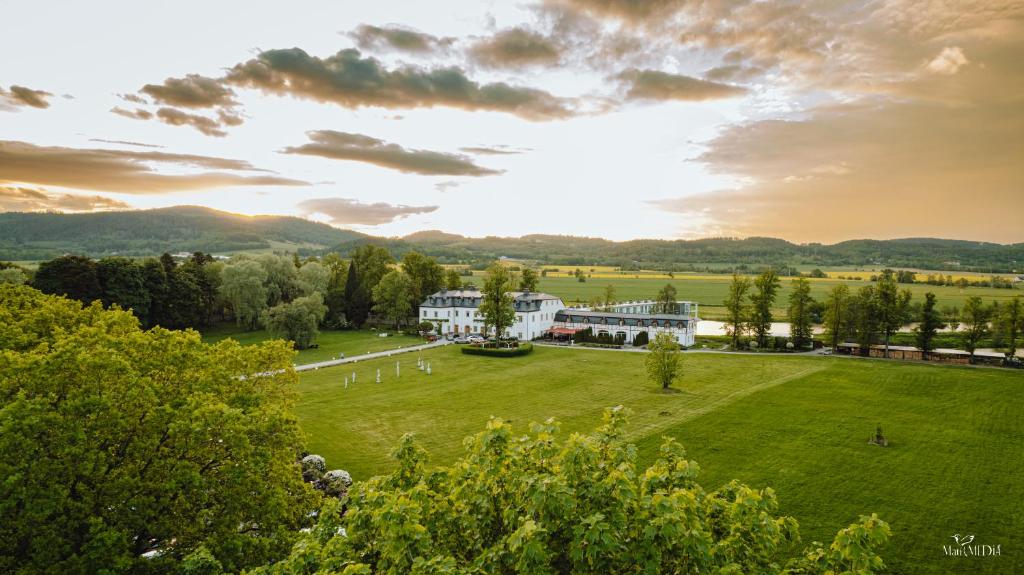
[(118, 441)]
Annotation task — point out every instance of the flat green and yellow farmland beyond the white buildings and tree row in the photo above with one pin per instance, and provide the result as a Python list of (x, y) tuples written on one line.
[(710, 291)]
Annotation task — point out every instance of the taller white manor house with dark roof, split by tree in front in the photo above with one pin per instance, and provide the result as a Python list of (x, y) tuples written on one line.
[(455, 312)]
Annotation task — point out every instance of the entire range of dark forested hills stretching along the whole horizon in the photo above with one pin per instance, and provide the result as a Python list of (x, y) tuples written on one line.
[(189, 229)]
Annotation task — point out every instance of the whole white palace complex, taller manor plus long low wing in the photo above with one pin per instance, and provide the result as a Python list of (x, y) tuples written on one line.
[(538, 316)]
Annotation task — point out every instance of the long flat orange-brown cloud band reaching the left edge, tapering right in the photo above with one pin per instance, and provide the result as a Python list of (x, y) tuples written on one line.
[(125, 172)]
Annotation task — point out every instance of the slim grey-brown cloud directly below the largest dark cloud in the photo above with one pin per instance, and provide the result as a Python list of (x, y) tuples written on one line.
[(358, 148)]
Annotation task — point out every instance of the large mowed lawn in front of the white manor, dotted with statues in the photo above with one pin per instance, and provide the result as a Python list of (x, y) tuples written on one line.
[(799, 425)]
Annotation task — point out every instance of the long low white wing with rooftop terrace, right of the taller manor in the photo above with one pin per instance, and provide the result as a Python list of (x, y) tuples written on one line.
[(626, 321)]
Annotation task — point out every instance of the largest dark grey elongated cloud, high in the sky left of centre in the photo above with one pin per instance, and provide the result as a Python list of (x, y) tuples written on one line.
[(349, 79)]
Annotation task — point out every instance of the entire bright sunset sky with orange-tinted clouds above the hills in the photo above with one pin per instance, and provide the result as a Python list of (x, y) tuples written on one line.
[(812, 121)]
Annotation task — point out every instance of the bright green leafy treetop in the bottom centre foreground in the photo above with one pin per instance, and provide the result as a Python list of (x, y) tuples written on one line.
[(530, 504)]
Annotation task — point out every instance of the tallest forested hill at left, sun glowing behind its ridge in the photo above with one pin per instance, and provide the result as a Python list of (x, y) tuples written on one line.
[(146, 233)]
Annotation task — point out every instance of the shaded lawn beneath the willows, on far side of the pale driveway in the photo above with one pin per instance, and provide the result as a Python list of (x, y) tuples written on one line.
[(351, 343)]
